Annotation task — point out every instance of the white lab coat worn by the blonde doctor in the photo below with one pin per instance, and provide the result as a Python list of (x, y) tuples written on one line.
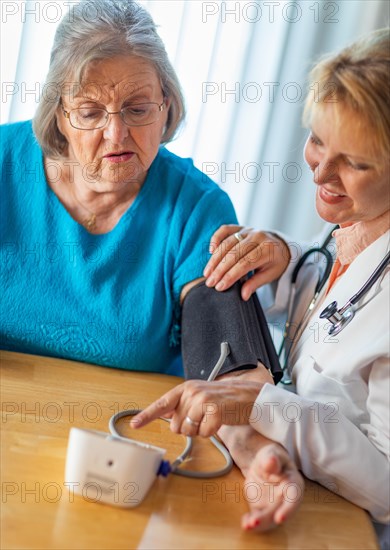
[(336, 427)]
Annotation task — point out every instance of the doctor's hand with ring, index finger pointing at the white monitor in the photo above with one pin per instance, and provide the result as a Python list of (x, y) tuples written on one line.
[(201, 408)]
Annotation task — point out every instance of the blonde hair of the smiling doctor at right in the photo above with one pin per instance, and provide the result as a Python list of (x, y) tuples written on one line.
[(357, 78)]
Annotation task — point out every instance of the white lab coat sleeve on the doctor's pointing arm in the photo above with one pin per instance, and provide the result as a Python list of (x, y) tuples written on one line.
[(323, 443)]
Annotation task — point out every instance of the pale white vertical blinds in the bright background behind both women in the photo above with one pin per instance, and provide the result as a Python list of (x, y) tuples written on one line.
[(243, 67)]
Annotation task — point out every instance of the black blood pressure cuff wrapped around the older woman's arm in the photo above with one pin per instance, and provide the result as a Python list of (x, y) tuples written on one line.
[(209, 318)]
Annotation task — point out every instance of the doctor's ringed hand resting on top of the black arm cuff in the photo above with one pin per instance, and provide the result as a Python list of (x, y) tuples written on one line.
[(237, 250)]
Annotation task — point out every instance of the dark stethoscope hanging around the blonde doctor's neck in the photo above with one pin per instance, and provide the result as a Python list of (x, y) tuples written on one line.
[(337, 317)]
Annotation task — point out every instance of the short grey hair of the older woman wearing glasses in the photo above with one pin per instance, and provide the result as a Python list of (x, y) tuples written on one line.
[(95, 30)]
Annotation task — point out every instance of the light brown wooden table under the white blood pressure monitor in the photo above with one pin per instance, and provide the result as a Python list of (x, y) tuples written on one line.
[(43, 397)]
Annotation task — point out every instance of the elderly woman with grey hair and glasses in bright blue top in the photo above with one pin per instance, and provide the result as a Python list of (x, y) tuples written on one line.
[(101, 226)]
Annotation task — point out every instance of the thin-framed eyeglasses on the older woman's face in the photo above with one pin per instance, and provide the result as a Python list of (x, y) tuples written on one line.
[(93, 118)]
